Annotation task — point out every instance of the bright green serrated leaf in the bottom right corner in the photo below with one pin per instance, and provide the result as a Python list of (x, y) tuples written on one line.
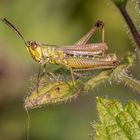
[(117, 121)]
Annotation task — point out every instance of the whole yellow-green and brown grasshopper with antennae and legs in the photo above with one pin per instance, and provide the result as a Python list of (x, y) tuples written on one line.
[(77, 57)]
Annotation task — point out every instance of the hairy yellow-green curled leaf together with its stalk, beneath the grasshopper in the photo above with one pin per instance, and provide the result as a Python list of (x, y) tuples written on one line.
[(58, 90)]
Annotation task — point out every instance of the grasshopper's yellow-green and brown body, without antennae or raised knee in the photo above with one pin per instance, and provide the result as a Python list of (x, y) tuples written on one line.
[(78, 61)]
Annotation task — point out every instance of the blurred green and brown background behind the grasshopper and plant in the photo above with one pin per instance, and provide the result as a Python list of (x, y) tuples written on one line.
[(56, 22)]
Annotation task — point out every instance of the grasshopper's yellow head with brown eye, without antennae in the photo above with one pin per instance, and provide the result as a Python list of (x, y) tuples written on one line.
[(34, 49)]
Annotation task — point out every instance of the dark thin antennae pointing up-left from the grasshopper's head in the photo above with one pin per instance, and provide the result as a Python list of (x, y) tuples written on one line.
[(10, 25)]
